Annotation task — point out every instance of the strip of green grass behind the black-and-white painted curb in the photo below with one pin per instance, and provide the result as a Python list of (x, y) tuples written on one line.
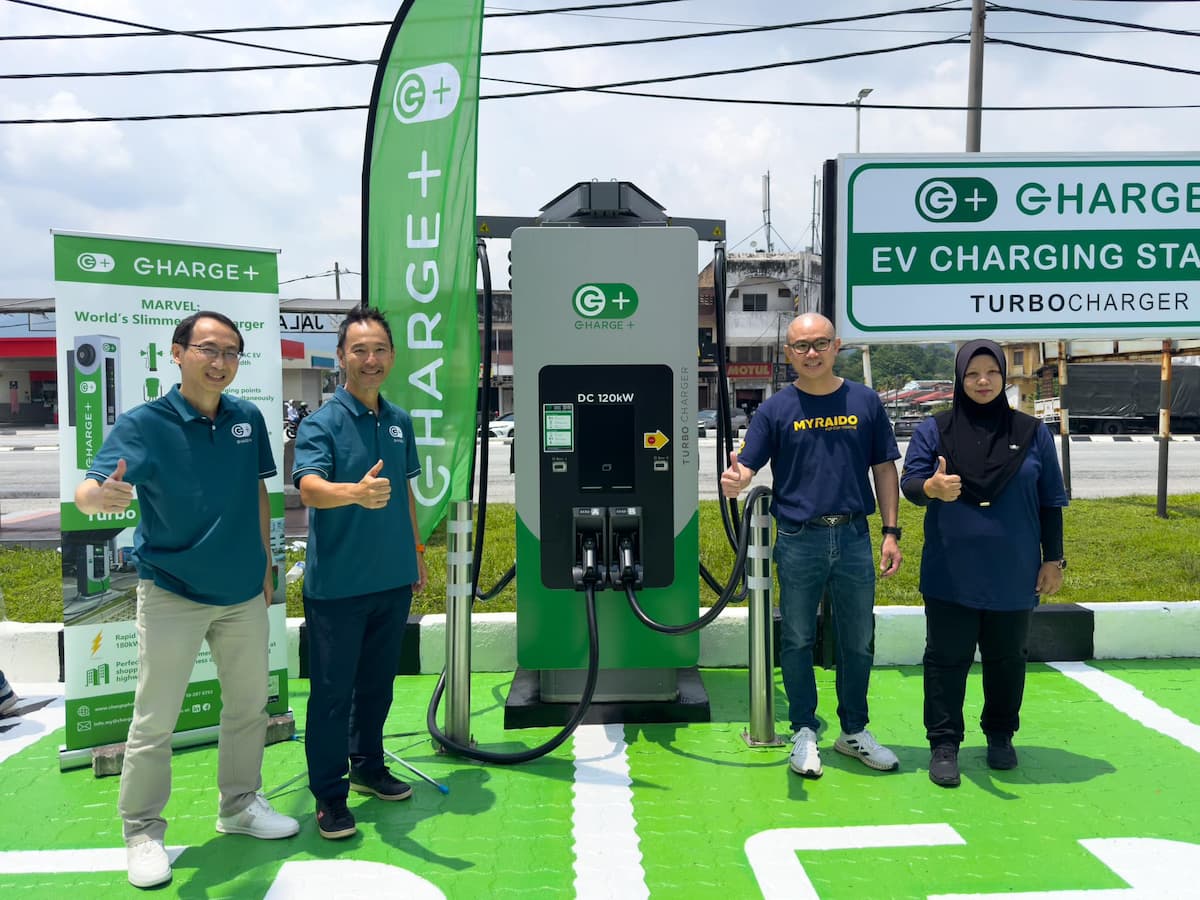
[(1118, 550)]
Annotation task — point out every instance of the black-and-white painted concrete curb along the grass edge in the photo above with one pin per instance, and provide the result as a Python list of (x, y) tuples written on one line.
[(32, 652)]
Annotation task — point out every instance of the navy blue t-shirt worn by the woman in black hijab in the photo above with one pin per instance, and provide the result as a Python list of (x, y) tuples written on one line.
[(987, 557)]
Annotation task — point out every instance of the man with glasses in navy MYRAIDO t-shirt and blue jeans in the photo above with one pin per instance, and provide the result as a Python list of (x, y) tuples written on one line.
[(823, 435)]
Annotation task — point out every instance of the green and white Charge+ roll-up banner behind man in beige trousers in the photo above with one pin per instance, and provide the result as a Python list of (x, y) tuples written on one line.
[(118, 302)]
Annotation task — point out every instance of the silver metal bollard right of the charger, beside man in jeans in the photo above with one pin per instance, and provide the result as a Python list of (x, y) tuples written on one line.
[(763, 651)]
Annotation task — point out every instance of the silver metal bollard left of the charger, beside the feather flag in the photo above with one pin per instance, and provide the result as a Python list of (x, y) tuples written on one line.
[(459, 602)]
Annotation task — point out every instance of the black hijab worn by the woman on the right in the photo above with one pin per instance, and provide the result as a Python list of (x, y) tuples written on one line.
[(983, 443)]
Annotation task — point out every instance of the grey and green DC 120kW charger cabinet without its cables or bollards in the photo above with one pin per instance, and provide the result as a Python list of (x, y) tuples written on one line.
[(607, 463)]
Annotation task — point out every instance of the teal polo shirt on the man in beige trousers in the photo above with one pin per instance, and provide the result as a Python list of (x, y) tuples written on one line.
[(197, 482)]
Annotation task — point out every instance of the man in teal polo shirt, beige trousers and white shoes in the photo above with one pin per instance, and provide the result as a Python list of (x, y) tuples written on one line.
[(199, 458)]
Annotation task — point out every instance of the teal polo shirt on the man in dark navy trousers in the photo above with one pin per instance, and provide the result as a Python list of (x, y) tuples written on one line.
[(355, 551)]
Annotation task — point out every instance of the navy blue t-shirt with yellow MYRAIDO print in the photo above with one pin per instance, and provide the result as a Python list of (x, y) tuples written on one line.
[(821, 449)]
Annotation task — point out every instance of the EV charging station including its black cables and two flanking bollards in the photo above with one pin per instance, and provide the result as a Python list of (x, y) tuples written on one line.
[(607, 464)]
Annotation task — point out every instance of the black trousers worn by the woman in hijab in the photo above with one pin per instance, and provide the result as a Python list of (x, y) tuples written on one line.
[(952, 633)]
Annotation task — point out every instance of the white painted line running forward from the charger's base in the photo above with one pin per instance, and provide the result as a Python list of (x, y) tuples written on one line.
[(608, 857)]
